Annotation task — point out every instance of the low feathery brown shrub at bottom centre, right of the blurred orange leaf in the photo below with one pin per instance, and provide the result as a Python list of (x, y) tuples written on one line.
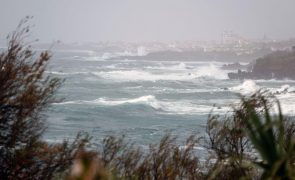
[(163, 161)]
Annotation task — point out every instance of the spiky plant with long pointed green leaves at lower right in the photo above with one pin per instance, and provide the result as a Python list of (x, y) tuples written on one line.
[(268, 136)]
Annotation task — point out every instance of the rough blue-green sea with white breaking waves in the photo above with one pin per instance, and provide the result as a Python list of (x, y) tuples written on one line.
[(145, 100)]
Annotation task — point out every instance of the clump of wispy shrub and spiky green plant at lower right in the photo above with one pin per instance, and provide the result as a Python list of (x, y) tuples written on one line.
[(248, 137)]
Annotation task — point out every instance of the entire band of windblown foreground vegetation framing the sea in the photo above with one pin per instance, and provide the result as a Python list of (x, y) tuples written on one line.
[(249, 143)]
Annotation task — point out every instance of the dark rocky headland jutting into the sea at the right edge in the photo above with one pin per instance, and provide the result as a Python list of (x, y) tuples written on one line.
[(278, 65)]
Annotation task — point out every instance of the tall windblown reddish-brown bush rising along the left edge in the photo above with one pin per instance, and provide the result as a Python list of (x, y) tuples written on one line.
[(25, 93)]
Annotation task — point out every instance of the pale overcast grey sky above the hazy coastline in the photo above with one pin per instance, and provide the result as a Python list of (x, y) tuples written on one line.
[(148, 20)]
